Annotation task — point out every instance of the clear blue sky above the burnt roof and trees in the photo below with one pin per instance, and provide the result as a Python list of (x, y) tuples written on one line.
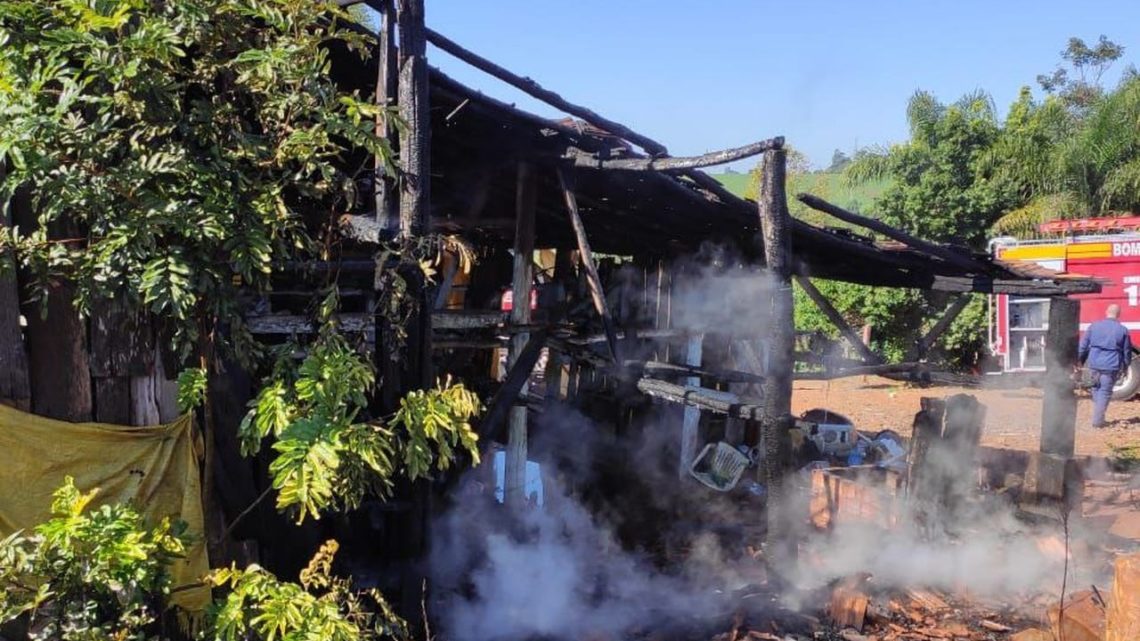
[(710, 75)]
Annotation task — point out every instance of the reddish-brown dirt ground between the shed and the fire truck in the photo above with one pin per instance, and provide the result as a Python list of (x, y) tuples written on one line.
[(1013, 419)]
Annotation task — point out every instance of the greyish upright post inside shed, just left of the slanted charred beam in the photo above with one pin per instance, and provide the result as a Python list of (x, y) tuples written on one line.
[(522, 283)]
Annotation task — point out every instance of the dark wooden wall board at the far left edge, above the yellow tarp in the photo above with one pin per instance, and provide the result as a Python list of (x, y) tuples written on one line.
[(15, 390)]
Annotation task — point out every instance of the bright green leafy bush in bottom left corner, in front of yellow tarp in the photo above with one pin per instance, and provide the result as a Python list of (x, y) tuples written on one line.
[(89, 574)]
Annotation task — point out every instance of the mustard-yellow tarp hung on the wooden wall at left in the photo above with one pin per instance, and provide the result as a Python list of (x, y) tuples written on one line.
[(154, 468)]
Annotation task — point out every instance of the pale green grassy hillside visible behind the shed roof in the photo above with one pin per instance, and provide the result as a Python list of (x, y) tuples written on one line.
[(830, 188)]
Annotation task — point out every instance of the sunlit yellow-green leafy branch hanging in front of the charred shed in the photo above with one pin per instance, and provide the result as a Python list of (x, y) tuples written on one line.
[(328, 456)]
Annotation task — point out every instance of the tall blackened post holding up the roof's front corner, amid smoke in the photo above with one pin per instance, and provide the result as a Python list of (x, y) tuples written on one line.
[(780, 335)]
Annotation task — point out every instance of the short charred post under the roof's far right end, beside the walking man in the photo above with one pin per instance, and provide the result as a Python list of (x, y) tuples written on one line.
[(1058, 417)]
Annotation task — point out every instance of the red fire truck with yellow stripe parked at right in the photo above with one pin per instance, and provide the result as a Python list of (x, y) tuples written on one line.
[(1108, 249)]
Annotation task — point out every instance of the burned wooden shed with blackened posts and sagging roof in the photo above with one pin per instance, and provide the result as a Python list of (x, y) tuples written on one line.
[(620, 223)]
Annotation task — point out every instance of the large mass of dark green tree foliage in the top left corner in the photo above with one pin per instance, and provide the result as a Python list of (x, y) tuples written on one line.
[(176, 152)]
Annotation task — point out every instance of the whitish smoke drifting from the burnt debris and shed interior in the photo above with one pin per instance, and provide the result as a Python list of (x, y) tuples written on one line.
[(561, 572)]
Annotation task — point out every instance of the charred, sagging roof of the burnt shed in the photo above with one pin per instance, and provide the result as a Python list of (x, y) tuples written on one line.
[(649, 205)]
